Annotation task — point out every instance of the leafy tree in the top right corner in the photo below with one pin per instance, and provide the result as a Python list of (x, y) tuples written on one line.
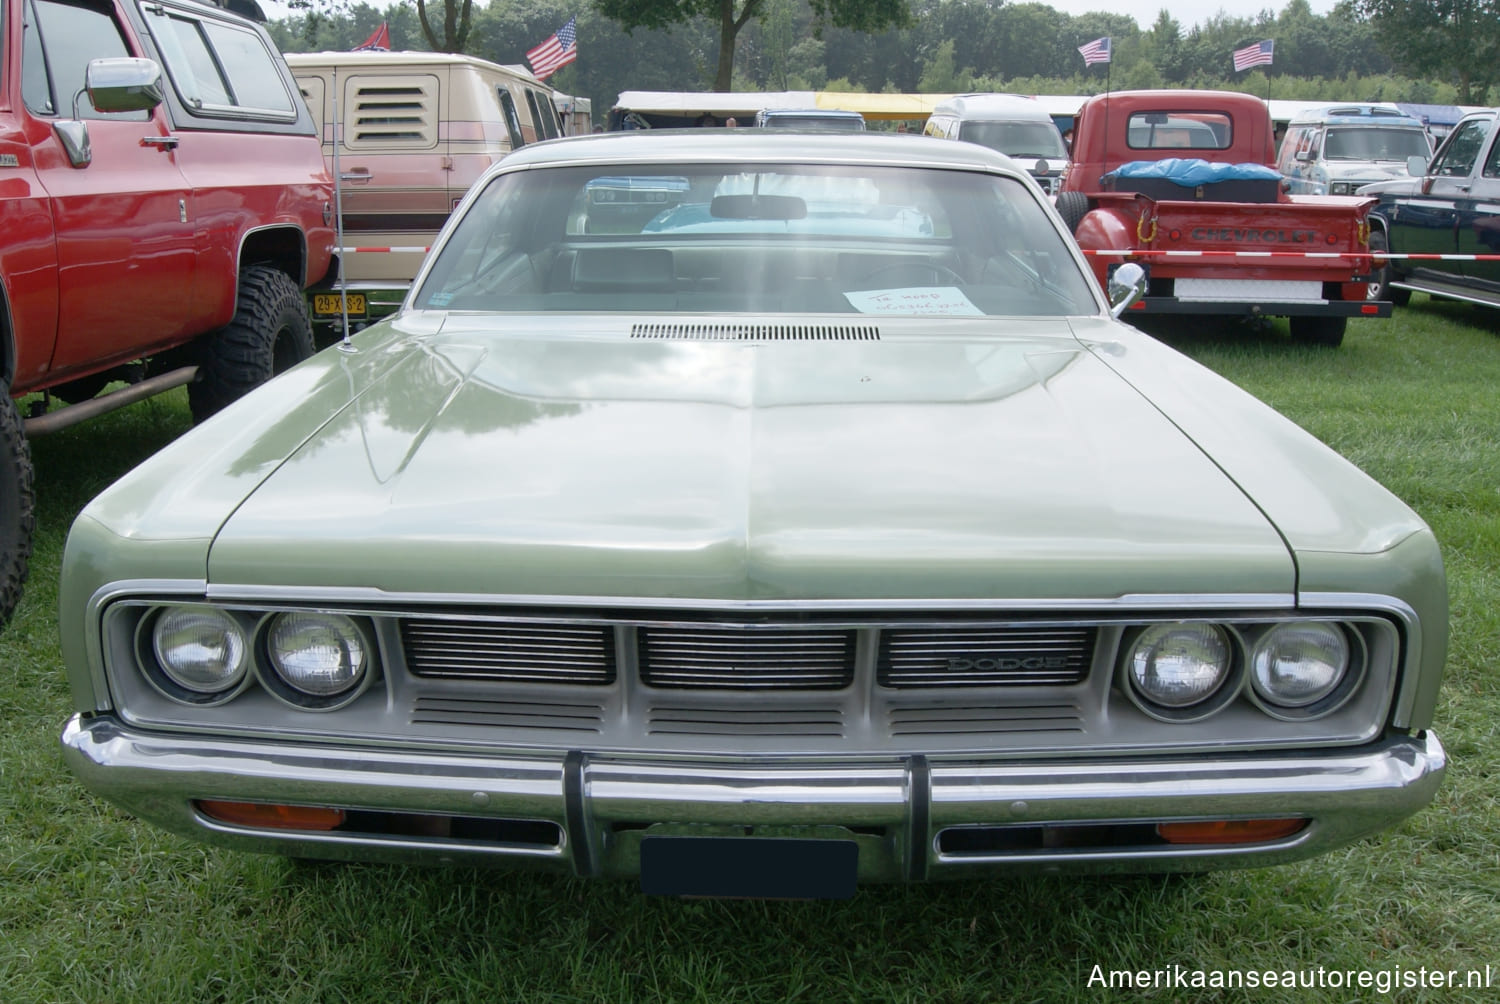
[(1451, 40)]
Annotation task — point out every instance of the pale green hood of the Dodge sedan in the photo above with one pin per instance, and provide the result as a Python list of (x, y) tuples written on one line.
[(719, 470)]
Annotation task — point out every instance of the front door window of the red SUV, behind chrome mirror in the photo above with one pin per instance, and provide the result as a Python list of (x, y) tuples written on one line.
[(61, 40)]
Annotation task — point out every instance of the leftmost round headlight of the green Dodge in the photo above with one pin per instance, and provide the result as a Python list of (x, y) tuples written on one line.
[(202, 652)]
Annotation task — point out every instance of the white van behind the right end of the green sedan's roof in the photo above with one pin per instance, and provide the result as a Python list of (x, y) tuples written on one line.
[(1010, 124)]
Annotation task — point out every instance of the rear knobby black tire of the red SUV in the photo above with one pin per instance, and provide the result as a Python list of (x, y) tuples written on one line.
[(271, 332)]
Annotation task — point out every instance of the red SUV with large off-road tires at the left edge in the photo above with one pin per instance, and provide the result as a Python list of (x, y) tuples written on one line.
[(166, 203)]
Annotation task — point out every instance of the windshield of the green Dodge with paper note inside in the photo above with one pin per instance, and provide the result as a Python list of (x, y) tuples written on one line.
[(757, 239)]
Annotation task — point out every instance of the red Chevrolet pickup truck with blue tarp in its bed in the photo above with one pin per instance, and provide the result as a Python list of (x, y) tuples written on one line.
[(1184, 182)]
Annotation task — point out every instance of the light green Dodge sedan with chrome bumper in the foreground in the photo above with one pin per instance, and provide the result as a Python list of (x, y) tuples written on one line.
[(757, 516)]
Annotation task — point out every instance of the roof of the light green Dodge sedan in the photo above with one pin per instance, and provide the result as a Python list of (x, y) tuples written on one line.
[(716, 145)]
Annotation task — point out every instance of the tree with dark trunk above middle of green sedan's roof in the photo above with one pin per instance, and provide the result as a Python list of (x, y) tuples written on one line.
[(862, 16)]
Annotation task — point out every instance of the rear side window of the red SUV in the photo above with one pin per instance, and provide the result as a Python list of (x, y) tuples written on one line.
[(218, 67)]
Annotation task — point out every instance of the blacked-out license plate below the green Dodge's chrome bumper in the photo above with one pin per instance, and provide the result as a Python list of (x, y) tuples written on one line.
[(749, 868)]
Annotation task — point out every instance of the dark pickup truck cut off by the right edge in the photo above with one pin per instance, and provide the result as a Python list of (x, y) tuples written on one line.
[(1448, 215)]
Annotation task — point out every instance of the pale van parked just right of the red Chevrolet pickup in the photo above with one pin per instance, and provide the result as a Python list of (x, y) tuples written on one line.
[(1339, 149)]
